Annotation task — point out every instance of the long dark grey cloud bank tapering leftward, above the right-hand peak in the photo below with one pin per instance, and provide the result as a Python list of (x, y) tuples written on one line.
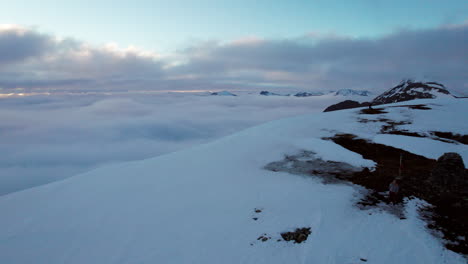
[(338, 62)]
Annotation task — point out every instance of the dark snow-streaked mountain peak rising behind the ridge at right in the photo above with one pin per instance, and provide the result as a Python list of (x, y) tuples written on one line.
[(409, 90)]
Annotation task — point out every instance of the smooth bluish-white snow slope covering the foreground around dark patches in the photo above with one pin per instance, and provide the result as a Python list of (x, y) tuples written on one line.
[(197, 205)]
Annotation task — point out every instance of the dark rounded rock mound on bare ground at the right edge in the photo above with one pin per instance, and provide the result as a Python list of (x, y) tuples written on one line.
[(449, 174)]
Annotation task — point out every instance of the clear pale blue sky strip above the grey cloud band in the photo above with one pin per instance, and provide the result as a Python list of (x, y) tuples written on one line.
[(163, 26)]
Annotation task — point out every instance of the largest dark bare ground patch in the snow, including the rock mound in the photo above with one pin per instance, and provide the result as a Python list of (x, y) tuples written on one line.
[(442, 183)]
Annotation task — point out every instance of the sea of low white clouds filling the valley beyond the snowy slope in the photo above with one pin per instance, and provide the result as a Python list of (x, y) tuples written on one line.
[(48, 138)]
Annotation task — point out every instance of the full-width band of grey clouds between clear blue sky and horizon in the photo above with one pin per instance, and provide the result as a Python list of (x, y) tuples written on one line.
[(32, 60)]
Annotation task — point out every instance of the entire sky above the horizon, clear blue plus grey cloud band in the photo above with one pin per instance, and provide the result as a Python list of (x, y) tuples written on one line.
[(80, 46)]
